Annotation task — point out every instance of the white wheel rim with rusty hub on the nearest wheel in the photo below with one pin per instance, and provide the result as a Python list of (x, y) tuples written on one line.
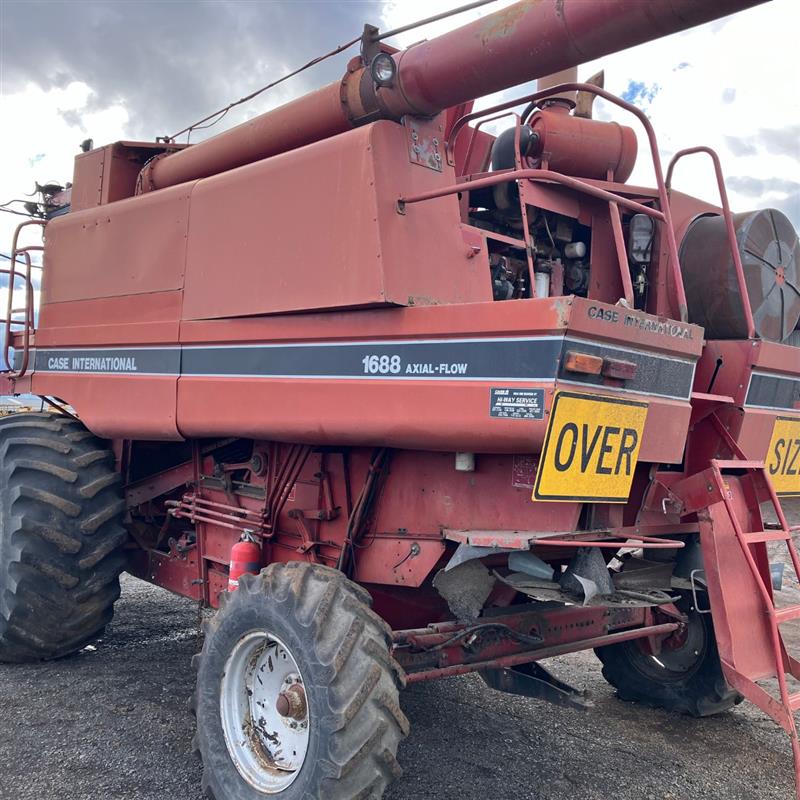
[(267, 748)]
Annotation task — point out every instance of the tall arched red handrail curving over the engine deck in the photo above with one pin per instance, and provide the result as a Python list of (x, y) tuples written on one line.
[(663, 197)]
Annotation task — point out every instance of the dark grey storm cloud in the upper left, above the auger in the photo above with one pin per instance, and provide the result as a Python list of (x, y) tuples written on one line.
[(173, 62)]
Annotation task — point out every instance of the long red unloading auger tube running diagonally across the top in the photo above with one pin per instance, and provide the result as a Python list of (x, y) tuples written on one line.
[(527, 40)]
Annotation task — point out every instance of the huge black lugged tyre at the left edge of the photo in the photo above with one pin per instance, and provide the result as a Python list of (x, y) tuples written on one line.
[(61, 536)]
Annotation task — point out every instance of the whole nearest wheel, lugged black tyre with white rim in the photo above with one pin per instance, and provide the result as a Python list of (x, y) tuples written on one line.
[(303, 636)]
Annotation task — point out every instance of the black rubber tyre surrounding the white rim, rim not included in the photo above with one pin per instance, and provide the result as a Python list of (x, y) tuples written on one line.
[(352, 683)]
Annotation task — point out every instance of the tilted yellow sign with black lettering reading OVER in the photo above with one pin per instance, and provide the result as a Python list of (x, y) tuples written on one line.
[(591, 449)]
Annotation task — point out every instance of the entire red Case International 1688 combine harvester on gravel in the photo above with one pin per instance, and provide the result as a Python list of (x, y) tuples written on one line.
[(408, 400)]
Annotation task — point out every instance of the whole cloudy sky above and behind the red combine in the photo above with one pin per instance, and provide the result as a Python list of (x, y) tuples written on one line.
[(112, 69)]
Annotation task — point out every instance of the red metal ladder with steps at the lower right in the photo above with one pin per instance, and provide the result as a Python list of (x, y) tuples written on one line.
[(747, 622)]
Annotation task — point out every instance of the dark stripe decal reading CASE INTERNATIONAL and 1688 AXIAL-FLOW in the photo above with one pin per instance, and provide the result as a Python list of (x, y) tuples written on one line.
[(508, 358)]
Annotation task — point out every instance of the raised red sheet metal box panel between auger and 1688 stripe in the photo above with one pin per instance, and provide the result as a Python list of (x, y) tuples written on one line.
[(334, 238)]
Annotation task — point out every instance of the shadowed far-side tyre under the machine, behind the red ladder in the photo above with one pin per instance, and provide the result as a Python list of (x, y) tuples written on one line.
[(686, 676)]
